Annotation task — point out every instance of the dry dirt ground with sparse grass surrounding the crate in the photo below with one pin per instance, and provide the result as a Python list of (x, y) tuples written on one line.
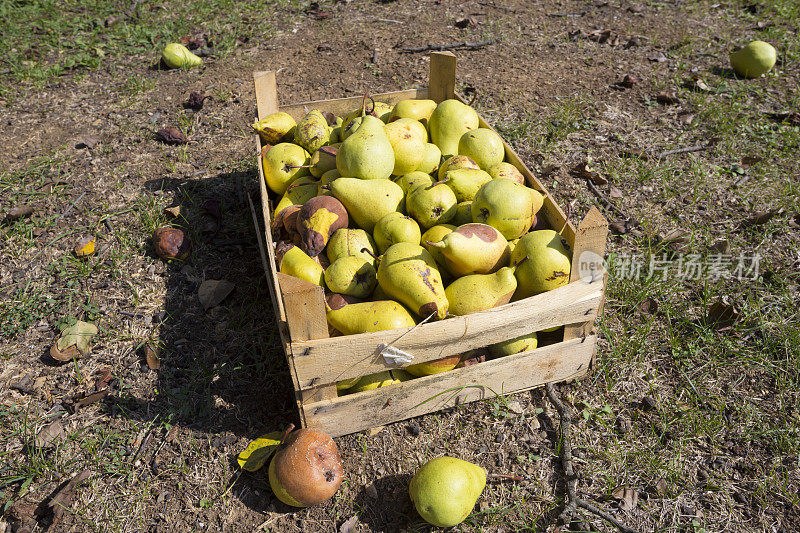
[(685, 424)]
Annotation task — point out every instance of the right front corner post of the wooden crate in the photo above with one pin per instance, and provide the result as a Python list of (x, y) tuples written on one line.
[(588, 251)]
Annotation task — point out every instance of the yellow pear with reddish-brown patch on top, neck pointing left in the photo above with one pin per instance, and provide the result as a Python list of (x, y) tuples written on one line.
[(473, 249)]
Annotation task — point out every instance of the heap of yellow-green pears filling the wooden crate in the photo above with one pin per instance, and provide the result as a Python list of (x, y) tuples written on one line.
[(404, 214)]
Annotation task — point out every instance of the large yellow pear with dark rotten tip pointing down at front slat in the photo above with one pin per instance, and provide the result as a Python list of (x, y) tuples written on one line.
[(408, 273)]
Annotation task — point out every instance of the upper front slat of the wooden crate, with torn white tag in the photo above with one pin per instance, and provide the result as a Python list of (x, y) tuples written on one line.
[(349, 356)]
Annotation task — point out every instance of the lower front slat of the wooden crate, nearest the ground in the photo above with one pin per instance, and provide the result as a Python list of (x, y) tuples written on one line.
[(528, 370)]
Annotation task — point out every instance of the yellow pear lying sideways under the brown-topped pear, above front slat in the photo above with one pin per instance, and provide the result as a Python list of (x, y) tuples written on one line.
[(479, 292)]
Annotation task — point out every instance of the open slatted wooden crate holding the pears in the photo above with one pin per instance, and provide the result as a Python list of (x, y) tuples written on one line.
[(317, 362)]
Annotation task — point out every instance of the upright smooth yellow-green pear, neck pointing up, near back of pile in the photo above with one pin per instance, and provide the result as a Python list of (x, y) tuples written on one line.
[(367, 152)]
